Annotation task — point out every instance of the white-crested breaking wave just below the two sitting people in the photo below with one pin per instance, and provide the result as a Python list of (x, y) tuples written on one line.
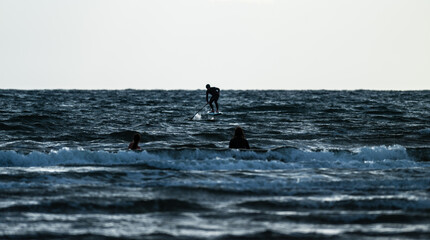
[(378, 157)]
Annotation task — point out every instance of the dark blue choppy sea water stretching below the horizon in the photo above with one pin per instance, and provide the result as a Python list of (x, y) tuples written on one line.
[(323, 165)]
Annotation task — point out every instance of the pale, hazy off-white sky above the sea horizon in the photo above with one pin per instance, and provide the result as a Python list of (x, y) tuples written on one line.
[(231, 44)]
